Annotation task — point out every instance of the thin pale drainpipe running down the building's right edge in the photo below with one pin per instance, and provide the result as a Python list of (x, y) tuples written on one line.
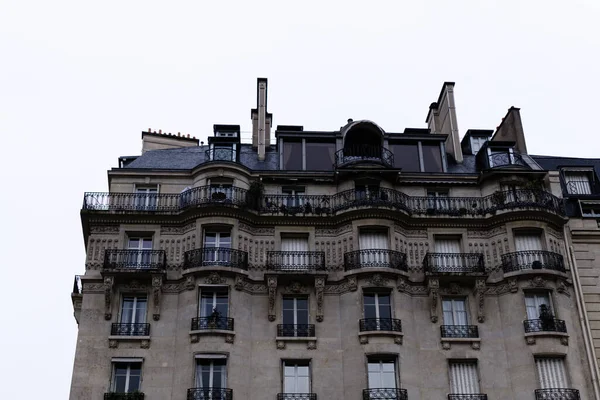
[(587, 333)]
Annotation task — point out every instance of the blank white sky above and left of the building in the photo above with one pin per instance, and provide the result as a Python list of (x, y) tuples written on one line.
[(80, 80)]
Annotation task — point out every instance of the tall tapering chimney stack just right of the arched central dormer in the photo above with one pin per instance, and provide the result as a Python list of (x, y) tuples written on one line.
[(441, 118)]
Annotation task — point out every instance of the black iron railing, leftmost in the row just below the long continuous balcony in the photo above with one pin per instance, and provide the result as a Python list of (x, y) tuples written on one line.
[(134, 260)]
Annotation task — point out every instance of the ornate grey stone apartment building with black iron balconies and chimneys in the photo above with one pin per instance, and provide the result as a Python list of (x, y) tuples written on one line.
[(347, 264)]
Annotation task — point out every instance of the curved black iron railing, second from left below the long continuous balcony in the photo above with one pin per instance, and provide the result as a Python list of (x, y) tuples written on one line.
[(215, 256)]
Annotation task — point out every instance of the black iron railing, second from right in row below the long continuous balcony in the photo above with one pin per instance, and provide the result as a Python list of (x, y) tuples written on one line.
[(453, 263)]
